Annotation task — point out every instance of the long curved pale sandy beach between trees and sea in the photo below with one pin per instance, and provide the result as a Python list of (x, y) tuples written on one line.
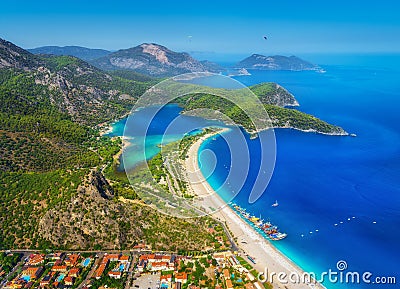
[(248, 240)]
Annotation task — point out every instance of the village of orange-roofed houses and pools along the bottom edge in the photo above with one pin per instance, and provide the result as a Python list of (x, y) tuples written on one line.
[(137, 269)]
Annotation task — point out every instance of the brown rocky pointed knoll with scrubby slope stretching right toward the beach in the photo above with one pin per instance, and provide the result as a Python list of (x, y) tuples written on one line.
[(94, 218)]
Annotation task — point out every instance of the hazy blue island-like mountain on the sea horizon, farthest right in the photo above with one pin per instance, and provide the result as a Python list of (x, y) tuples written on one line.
[(277, 62)]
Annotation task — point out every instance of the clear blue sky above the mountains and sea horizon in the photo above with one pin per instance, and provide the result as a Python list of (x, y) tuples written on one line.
[(218, 26)]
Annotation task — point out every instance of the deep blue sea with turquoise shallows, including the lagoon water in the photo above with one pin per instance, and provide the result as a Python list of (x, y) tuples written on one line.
[(338, 196)]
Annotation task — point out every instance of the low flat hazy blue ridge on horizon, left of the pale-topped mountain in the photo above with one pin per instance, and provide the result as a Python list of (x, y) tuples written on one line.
[(77, 51)]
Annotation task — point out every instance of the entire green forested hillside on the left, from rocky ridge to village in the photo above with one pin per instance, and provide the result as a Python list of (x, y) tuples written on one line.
[(53, 193)]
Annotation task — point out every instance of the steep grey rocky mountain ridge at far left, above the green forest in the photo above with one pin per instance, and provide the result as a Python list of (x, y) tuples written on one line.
[(73, 86)]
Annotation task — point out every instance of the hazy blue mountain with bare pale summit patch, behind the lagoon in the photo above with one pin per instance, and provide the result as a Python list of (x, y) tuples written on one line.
[(154, 60)]
